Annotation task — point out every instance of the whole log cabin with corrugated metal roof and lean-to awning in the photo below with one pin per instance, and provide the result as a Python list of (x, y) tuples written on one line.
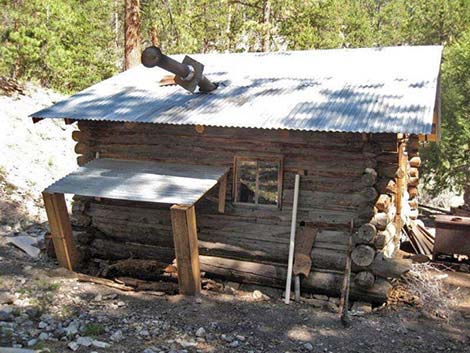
[(211, 175)]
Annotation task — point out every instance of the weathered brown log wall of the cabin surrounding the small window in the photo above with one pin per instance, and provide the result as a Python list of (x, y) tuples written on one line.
[(345, 174)]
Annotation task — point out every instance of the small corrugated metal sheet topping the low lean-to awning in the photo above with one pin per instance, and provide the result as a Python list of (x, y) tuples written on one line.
[(140, 181)]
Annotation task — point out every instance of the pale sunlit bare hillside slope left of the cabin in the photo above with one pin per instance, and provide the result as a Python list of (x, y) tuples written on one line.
[(32, 156)]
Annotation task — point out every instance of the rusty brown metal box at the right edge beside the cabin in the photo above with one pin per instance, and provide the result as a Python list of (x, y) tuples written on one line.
[(452, 235)]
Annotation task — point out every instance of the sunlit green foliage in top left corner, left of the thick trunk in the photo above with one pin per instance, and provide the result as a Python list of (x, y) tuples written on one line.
[(66, 45)]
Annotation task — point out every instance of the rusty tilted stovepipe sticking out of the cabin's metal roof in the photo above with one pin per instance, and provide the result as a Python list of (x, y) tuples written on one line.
[(188, 74)]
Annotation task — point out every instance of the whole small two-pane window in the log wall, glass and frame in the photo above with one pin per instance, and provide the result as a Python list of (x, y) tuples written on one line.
[(258, 181)]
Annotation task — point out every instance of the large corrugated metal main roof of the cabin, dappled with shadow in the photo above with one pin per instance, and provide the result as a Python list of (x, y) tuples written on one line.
[(374, 90)]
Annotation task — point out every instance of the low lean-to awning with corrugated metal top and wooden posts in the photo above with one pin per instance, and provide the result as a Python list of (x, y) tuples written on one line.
[(176, 184)]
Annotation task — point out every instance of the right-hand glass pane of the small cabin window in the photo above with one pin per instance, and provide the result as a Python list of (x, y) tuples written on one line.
[(268, 182)]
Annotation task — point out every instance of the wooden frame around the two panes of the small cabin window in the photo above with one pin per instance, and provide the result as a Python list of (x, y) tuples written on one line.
[(258, 158)]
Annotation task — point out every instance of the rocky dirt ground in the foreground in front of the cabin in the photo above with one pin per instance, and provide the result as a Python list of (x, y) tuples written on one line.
[(46, 308)]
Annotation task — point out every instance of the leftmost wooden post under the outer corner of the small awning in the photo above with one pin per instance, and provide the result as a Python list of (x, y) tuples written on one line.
[(61, 230)]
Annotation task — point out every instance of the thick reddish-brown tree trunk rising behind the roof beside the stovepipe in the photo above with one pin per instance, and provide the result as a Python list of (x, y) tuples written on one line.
[(132, 34)]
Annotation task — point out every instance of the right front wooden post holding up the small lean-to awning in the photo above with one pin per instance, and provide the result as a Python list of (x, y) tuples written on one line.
[(183, 220)]
